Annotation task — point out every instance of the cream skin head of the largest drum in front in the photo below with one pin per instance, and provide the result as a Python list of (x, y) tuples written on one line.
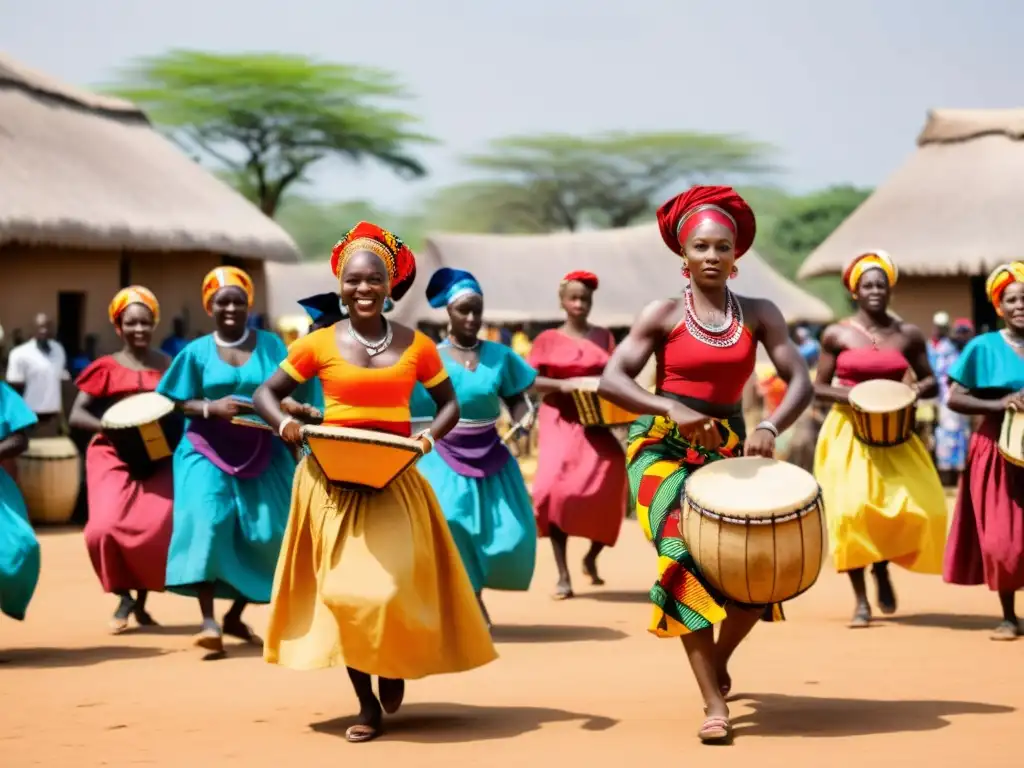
[(751, 488)]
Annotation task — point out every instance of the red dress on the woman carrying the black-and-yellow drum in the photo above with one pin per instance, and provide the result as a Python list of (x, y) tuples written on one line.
[(130, 529)]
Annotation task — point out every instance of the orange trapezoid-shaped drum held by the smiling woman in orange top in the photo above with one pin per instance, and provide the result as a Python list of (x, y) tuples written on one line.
[(361, 459)]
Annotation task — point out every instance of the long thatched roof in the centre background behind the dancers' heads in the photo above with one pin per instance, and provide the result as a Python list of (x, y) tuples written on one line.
[(521, 276)]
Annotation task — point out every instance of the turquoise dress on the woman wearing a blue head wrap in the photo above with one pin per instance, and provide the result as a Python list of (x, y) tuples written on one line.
[(491, 518)]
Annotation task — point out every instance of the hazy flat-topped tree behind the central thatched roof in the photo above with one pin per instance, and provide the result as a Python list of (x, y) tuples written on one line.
[(565, 182)]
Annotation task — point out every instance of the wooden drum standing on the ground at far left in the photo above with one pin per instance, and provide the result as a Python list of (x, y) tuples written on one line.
[(50, 476)]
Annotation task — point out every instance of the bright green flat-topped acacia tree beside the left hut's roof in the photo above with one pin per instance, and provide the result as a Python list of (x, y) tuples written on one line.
[(267, 119)]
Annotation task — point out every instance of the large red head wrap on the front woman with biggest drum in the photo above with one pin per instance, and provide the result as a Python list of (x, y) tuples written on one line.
[(681, 216)]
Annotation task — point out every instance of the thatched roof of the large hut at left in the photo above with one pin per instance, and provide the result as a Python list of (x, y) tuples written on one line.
[(84, 170)]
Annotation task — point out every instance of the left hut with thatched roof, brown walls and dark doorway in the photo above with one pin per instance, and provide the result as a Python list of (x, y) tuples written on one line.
[(94, 199)]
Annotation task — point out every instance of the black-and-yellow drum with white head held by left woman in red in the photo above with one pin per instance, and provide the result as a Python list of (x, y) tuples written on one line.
[(145, 431)]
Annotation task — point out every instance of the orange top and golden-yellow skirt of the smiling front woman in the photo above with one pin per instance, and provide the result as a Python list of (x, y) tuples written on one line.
[(372, 581)]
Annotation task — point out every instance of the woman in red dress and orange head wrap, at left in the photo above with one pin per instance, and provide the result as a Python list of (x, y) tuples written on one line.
[(130, 528)]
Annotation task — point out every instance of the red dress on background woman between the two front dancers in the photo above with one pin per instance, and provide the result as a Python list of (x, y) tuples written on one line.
[(580, 484)]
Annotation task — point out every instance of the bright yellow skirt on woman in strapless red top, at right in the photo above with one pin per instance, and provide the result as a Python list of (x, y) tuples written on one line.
[(882, 503)]
